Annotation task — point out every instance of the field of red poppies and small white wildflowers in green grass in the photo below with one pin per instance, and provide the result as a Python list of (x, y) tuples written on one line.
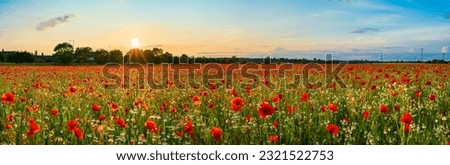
[(380, 104)]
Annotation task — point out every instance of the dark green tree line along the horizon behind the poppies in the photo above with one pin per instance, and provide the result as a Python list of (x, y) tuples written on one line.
[(65, 53)]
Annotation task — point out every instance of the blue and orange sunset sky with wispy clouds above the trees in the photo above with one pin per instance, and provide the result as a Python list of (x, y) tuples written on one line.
[(349, 29)]
